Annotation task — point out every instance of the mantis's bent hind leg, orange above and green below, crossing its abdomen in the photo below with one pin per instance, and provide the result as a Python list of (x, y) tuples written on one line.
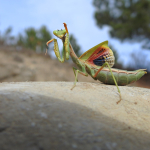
[(106, 64)]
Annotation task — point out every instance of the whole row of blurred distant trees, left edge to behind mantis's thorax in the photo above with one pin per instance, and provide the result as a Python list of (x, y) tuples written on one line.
[(34, 39)]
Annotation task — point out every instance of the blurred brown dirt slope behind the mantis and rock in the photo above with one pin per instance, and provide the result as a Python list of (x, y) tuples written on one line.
[(26, 65)]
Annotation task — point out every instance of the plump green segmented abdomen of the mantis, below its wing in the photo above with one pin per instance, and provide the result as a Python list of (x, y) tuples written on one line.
[(122, 77)]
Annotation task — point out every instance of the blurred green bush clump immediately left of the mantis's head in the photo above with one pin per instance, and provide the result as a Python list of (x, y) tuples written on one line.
[(34, 39)]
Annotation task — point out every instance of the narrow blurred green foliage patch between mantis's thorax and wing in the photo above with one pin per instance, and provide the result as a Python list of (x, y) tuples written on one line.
[(74, 44)]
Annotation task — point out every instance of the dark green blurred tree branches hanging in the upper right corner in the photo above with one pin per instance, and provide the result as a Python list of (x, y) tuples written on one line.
[(128, 19)]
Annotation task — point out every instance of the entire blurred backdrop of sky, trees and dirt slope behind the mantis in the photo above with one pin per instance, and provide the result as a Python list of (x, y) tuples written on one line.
[(25, 27)]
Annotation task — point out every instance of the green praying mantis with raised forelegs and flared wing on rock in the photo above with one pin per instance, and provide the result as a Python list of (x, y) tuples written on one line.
[(96, 62)]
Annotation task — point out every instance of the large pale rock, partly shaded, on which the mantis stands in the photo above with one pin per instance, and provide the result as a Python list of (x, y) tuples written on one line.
[(50, 116)]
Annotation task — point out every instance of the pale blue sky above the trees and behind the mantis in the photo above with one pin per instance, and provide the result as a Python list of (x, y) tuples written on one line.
[(79, 16)]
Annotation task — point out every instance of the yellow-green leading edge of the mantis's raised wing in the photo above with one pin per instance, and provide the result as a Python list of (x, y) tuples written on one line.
[(91, 51)]
